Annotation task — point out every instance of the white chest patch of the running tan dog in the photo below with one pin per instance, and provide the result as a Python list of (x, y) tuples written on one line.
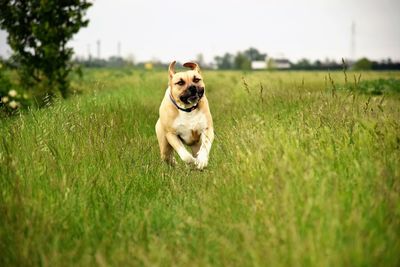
[(190, 125)]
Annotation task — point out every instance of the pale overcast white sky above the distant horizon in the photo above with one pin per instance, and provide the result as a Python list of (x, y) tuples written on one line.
[(294, 29)]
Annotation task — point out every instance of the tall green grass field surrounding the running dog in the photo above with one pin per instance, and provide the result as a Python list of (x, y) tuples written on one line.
[(301, 173)]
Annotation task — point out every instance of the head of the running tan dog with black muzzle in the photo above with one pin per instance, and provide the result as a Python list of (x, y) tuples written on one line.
[(187, 87)]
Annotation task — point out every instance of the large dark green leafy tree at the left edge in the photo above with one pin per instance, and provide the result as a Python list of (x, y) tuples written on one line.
[(38, 33)]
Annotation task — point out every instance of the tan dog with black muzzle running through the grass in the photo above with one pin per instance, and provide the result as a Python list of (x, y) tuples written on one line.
[(185, 118)]
